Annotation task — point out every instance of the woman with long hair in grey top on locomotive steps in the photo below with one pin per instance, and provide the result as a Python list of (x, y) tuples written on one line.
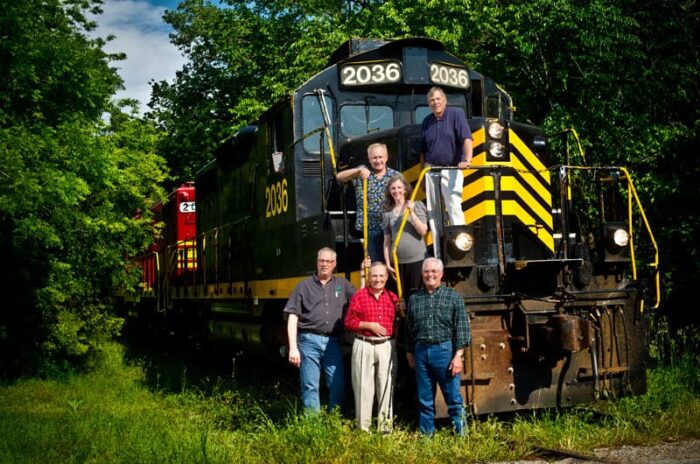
[(412, 250)]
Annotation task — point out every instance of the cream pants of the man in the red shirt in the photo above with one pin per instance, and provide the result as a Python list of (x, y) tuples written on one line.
[(373, 368)]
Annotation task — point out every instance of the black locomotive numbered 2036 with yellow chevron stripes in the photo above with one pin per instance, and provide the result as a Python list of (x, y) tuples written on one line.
[(546, 263)]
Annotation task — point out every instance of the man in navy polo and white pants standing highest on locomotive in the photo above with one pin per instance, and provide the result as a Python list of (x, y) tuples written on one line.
[(446, 140)]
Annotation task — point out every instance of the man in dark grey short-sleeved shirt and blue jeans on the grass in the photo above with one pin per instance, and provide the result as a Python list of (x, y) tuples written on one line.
[(315, 325)]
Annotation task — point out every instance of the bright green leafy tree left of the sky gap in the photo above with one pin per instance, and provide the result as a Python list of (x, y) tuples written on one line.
[(70, 187)]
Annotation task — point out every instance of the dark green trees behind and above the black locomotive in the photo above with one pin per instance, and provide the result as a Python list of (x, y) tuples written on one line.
[(622, 74)]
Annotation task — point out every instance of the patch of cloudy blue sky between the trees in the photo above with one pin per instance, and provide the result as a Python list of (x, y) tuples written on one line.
[(141, 34)]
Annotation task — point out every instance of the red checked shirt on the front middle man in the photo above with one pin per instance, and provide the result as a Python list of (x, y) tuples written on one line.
[(364, 307)]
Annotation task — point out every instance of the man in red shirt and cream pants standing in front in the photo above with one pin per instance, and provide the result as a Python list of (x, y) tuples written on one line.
[(372, 317)]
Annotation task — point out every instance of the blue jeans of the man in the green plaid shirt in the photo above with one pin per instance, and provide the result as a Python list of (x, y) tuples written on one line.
[(432, 366)]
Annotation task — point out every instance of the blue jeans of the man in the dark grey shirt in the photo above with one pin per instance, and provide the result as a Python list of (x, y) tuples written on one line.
[(319, 352)]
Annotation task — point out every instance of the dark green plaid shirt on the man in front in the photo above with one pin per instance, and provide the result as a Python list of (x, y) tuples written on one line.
[(437, 317)]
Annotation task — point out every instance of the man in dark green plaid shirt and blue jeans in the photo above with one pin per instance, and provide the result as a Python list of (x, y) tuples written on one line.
[(437, 330)]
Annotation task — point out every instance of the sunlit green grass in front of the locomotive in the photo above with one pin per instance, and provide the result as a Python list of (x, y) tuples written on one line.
[(111, 416)]
